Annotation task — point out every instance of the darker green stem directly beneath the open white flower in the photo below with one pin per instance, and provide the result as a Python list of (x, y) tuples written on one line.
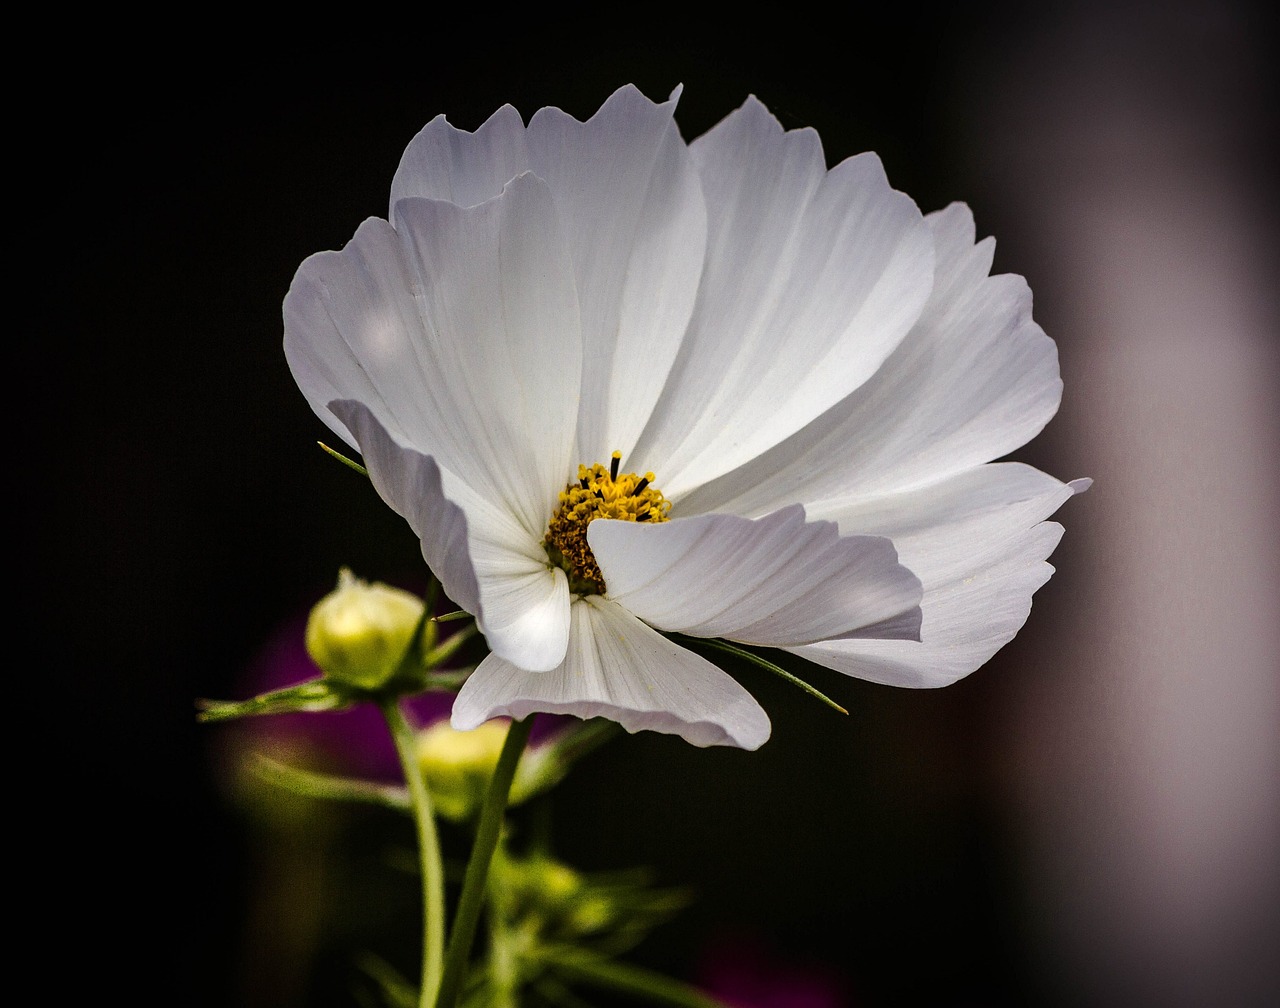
[(478, 868)]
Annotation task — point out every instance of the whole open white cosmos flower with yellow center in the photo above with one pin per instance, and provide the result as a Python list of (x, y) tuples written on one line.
[(813, 375)]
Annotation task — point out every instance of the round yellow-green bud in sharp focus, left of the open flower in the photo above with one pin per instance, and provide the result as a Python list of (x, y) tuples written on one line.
[(360, 631)]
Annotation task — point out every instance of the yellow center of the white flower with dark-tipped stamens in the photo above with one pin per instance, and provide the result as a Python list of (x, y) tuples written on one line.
[(600, 493)]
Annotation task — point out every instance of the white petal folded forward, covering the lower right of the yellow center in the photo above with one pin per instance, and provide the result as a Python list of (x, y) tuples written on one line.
[(771, 581)]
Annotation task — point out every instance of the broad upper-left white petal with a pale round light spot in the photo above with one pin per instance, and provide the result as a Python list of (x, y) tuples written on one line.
[(459, 329)]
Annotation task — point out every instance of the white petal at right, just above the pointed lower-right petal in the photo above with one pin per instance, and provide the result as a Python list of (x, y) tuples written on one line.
[(975, 381)]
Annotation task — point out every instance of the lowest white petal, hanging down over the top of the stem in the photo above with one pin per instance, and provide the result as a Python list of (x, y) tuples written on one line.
[(621, 670)]
